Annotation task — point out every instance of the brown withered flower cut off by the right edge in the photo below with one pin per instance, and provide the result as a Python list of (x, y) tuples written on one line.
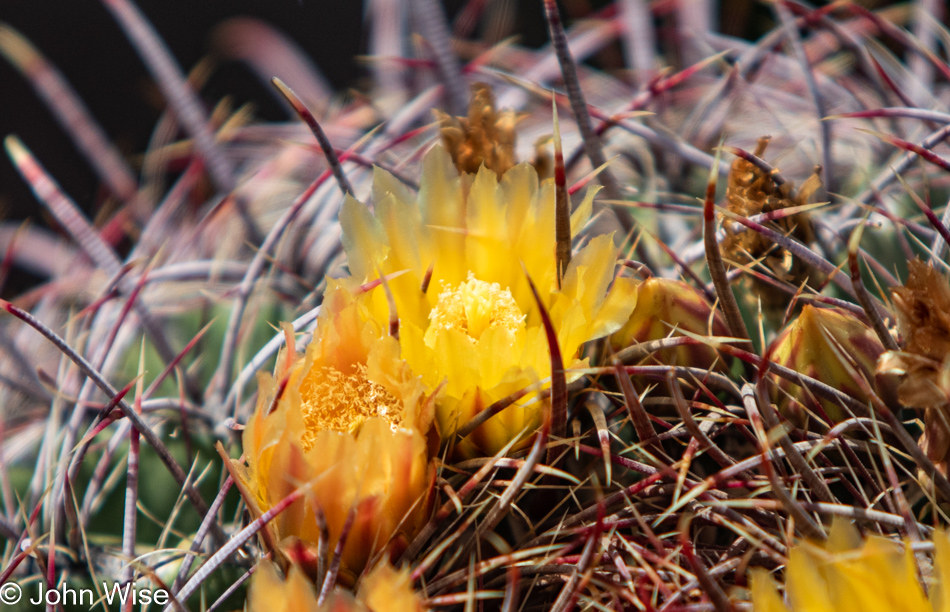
[(923, 320)]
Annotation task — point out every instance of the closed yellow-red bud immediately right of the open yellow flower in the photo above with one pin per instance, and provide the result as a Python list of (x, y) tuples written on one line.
[(663, 304)]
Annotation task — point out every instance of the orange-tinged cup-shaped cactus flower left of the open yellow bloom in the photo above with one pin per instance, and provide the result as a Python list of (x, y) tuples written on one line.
[(351, 421)]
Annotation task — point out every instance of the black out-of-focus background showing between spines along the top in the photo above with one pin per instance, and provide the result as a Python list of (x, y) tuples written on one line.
[(84, 42)]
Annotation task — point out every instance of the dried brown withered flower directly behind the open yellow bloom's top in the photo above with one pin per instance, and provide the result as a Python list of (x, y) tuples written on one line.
[(486, 136)]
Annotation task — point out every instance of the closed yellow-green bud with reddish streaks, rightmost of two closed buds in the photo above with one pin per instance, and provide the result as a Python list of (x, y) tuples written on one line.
[(832, 346)]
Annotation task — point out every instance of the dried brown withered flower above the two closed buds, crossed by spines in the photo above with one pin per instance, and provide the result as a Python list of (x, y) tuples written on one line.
[(751, 191)]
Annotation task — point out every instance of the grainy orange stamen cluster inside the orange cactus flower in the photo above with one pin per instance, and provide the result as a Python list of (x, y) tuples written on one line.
[(341, 402)]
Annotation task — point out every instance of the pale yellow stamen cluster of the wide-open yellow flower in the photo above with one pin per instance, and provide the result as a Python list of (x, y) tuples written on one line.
[(474, 307)]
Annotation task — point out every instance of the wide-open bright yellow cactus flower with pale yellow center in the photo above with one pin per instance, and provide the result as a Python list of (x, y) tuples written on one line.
[(468, 320)]
